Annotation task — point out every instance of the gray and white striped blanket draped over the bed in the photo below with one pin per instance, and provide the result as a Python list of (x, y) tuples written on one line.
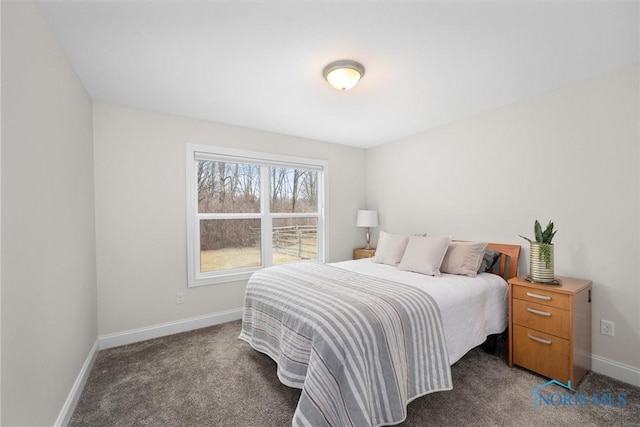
[(360, 348)]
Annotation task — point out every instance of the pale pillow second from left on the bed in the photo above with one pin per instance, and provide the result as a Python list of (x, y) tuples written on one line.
[(424, 254)]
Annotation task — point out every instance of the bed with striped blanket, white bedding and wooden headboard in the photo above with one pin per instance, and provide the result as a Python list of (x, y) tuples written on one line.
[(362, 339)]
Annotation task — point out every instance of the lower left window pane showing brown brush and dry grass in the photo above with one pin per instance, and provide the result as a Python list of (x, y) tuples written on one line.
[(229, 243)]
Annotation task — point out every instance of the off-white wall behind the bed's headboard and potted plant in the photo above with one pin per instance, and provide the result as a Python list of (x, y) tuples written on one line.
[(570, 155)]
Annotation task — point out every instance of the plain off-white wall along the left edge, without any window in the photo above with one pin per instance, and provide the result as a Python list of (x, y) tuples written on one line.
[(49, 313)]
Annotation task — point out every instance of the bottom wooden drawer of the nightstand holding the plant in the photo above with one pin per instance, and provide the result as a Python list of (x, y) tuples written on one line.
[(542, 353)]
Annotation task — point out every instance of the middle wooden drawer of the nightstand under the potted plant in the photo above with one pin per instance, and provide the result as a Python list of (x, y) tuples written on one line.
[(543, 318)]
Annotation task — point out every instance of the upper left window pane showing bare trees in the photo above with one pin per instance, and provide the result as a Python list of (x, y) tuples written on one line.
[(228, 187)]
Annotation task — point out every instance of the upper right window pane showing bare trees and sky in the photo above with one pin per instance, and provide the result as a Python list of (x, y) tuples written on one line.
[(293, 190)]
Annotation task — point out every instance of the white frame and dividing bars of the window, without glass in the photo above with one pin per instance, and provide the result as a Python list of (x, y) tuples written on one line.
[(198, 152)]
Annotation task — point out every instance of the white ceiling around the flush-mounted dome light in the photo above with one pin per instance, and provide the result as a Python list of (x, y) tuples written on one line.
[(259, 64)]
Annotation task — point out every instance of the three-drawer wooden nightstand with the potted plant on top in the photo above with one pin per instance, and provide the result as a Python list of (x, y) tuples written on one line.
[(550, 328)]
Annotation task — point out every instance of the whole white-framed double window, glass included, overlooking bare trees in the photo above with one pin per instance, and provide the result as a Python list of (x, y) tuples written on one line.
[(248, 210)]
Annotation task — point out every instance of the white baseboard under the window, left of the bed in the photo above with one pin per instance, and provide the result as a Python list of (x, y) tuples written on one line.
[(169, 328)]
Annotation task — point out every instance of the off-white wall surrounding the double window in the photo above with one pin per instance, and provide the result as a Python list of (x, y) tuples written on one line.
[(141, 213)]
